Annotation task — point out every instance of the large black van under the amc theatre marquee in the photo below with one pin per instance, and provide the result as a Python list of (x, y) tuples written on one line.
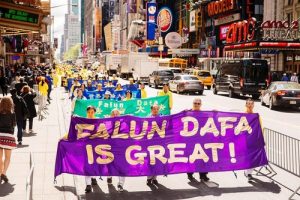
[(246, 76)]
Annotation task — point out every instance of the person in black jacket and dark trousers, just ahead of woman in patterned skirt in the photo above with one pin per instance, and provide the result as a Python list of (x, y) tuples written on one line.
[(21, 111)]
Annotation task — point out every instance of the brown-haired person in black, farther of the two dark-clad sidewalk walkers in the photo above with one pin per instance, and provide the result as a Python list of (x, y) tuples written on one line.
[(28, 95)]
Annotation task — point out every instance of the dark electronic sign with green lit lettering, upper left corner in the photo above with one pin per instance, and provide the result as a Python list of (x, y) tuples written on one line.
[(18, 15)]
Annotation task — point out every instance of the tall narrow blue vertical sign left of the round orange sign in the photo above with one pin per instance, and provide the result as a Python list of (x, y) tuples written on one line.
[(151, 25)]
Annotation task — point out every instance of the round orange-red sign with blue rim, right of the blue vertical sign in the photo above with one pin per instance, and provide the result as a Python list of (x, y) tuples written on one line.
[(164, 19)]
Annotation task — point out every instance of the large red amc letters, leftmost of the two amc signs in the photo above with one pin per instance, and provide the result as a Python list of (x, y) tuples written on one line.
[(241, 31)]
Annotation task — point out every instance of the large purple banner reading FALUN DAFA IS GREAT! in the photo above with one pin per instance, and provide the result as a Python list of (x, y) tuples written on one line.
[(189, 141)]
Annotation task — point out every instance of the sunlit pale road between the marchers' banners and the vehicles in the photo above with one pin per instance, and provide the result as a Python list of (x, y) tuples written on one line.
[(283, 120)]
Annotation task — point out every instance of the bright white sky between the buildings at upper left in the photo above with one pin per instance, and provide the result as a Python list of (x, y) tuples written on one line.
[(59, 17)]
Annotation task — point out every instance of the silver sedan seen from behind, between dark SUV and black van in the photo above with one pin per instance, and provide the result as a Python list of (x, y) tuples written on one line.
[(186, 83)]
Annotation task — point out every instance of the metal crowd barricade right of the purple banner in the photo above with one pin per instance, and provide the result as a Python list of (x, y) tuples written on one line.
[(284, 152)]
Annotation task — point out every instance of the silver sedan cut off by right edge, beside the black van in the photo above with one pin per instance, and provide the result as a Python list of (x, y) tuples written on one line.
[(281, 93)]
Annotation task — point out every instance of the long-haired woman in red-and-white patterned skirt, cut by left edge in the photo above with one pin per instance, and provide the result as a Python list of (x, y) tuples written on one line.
[(7, 139)]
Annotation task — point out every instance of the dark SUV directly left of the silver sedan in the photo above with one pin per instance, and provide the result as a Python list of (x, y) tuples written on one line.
[(159, 77)]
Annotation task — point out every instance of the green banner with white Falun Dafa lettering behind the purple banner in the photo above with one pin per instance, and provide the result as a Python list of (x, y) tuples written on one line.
[(135, 107)]
